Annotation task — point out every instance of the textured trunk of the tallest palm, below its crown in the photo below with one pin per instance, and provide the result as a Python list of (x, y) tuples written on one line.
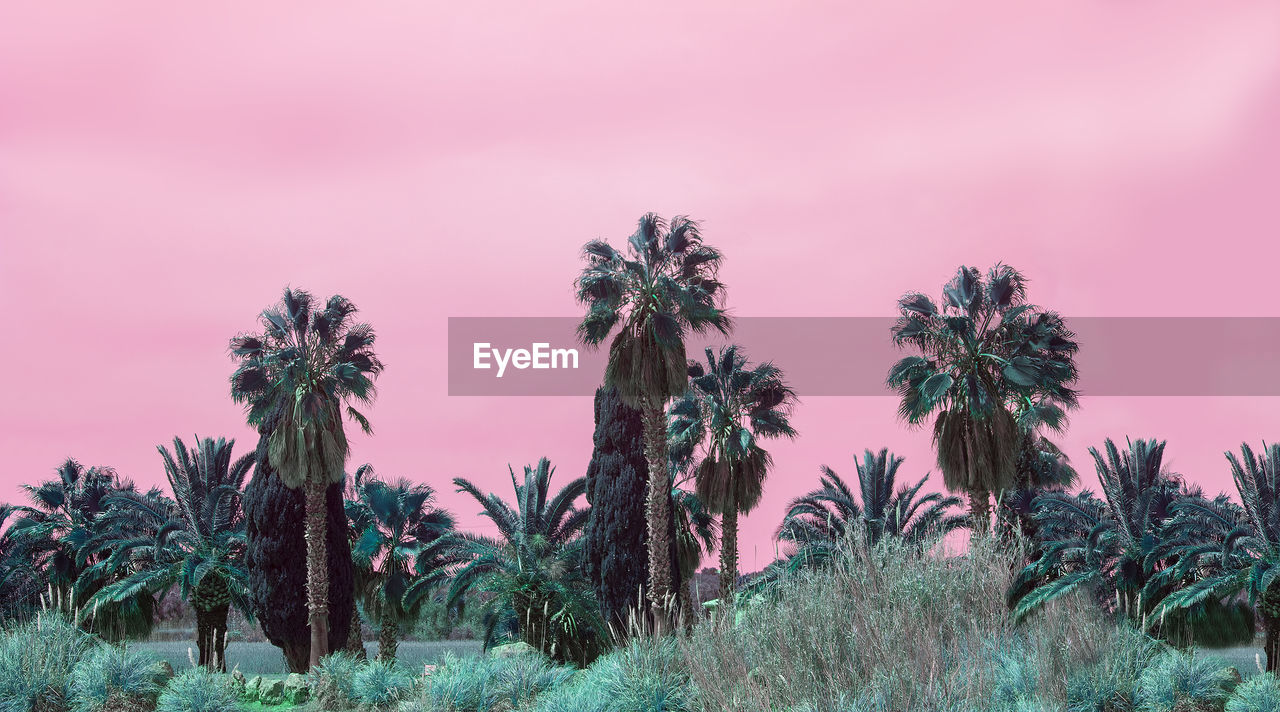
[(659, 514)]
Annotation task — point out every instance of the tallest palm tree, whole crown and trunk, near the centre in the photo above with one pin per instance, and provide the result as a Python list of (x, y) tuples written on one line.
[(661, 290)]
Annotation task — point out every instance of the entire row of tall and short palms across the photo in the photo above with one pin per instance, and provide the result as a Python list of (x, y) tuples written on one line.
[(993, 373)]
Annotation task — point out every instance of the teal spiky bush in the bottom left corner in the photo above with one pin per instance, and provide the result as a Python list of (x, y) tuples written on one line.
[(36, 661)]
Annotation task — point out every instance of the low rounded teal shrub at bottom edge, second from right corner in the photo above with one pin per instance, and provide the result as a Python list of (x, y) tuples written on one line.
[(1176, 681)]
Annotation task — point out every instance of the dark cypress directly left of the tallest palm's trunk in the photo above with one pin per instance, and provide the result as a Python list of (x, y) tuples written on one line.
[(616, 480)]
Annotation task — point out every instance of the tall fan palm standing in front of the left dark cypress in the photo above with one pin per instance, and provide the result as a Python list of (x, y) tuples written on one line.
[(305, 367)]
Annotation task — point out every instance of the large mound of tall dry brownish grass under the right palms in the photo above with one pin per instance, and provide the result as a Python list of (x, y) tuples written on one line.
[(865, 628)]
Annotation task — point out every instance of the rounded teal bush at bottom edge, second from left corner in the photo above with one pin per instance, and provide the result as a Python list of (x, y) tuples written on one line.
[(116, 678)]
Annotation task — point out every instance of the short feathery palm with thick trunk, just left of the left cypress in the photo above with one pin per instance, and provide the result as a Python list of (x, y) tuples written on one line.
[(195, 542)]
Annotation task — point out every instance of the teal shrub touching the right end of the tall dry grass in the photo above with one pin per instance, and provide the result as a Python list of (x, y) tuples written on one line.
[(1112, 683)]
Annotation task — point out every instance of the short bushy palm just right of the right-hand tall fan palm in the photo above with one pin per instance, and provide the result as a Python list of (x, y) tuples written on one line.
[(1110, 545)]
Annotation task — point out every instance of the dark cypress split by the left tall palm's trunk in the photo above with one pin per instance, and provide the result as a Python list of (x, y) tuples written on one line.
[(276, 560)]
